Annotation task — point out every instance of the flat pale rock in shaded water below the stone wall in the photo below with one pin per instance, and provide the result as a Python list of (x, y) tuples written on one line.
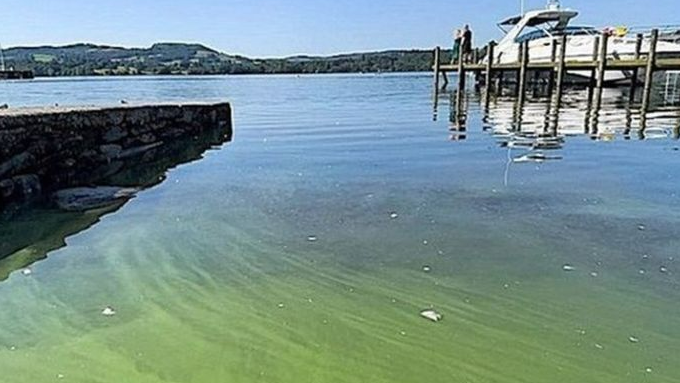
[(81, 199)]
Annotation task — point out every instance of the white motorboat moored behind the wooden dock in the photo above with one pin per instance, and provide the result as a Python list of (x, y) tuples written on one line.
[(541, 27)]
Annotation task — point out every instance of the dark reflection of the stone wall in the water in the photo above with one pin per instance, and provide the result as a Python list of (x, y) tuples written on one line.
[(29, 233)]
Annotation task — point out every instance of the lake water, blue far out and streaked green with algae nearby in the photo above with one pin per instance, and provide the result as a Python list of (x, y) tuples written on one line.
[(305, 250)]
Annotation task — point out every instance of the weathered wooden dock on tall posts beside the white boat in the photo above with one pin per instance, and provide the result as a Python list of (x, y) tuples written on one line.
[(491, 74)]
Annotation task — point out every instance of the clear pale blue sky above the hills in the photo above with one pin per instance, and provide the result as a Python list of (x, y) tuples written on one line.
[(269, 28)]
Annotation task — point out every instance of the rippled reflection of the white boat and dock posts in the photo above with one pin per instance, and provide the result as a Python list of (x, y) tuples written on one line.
[(540, 124)]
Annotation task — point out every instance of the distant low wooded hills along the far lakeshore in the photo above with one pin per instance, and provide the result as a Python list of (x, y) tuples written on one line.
[(177, 58)]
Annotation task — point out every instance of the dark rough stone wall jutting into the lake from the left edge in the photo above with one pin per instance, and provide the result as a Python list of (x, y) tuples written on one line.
[(43, 150)]
